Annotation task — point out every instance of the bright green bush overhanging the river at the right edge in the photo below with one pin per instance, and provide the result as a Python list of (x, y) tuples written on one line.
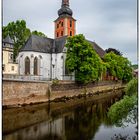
[(124, 108)]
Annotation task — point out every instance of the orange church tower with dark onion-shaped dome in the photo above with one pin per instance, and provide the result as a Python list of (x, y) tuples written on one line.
[(65, 23)]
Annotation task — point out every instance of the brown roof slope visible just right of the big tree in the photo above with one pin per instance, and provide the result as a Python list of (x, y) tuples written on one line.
[(98, 49)]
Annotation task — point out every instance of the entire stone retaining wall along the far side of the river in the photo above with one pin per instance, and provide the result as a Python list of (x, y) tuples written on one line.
[(19, 93)]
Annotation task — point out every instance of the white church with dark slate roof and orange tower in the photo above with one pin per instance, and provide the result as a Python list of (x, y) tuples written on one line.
[(45, 57)]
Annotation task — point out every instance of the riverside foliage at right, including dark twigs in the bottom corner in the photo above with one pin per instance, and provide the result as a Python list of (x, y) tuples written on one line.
[(126, 110)]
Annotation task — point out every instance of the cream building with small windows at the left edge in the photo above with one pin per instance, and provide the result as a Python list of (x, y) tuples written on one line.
[(8, 67)]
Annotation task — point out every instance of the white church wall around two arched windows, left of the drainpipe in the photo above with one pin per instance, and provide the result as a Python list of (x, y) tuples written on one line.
[(43, 65)]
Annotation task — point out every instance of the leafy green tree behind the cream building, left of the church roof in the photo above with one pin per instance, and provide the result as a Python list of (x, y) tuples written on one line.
[(19, 33)]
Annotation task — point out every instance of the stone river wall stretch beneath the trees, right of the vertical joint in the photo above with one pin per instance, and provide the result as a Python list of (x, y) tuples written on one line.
[(71, 90)]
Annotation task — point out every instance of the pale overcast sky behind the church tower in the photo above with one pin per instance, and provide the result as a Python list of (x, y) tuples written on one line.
[(110, 23)]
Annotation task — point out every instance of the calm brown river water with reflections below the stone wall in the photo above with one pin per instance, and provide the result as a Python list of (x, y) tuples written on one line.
[(82, 119)]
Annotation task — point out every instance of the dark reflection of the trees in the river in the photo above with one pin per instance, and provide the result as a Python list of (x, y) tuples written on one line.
[(85, 121)]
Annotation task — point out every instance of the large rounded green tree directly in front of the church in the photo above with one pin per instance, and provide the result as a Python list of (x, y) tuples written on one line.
[(83, 60)]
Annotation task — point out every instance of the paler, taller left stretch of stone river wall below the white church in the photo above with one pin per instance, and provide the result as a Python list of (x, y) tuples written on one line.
[(24, 92)]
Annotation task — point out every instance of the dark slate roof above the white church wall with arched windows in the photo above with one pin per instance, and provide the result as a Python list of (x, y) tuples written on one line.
[(44, 44)]
